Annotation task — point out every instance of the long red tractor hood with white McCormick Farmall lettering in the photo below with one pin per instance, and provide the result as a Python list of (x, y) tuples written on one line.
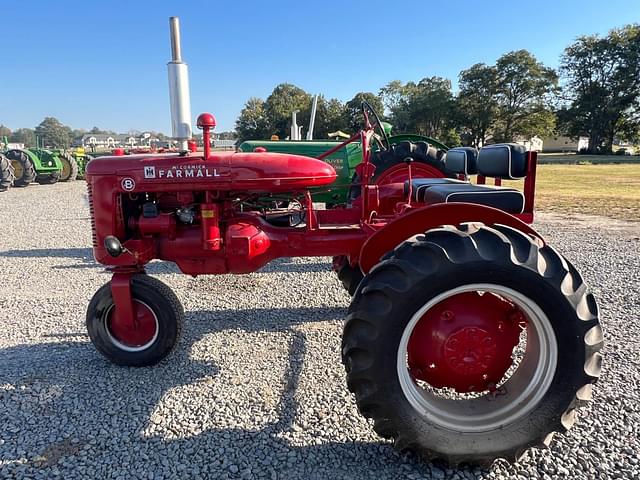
[(252, 171)]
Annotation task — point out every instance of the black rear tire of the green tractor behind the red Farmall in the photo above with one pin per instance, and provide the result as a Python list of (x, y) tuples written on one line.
[(419, 152)]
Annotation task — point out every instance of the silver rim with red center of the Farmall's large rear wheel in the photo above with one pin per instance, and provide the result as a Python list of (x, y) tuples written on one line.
[(519, 392)]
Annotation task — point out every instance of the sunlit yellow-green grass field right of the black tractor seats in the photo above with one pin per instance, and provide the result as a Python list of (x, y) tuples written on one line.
[(608, 190)]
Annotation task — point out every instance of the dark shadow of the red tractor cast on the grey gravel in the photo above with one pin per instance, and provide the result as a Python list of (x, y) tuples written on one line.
[(78, 409)]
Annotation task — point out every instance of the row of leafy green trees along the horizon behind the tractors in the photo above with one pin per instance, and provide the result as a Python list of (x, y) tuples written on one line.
[(594, 93)]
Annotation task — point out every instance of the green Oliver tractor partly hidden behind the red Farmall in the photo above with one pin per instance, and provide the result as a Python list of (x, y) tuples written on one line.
[(389, 158)]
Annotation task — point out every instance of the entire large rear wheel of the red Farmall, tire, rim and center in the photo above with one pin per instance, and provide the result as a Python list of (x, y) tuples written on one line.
[(401, 290)]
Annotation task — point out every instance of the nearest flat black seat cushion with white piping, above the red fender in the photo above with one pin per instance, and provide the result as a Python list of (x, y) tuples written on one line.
[(507, 199)]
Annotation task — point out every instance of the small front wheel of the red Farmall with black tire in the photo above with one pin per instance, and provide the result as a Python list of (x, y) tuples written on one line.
[(152, 298)]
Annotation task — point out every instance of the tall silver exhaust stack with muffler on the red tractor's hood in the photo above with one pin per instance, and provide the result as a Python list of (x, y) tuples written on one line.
[(179, 89)]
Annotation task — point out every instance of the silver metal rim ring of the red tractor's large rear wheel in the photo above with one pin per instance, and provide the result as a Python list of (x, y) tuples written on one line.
[(525, 388)]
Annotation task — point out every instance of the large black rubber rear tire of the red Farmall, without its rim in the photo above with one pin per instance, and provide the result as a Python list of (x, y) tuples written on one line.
[(442, 260)]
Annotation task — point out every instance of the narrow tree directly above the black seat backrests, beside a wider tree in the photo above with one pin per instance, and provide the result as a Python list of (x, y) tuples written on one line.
[(477, 103)]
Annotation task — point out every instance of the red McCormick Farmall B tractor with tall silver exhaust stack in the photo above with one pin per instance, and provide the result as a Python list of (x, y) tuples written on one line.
[(468, 338)]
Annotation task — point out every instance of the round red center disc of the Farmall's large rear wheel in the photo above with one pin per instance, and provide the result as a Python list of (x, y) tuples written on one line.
[(465, 342)]
